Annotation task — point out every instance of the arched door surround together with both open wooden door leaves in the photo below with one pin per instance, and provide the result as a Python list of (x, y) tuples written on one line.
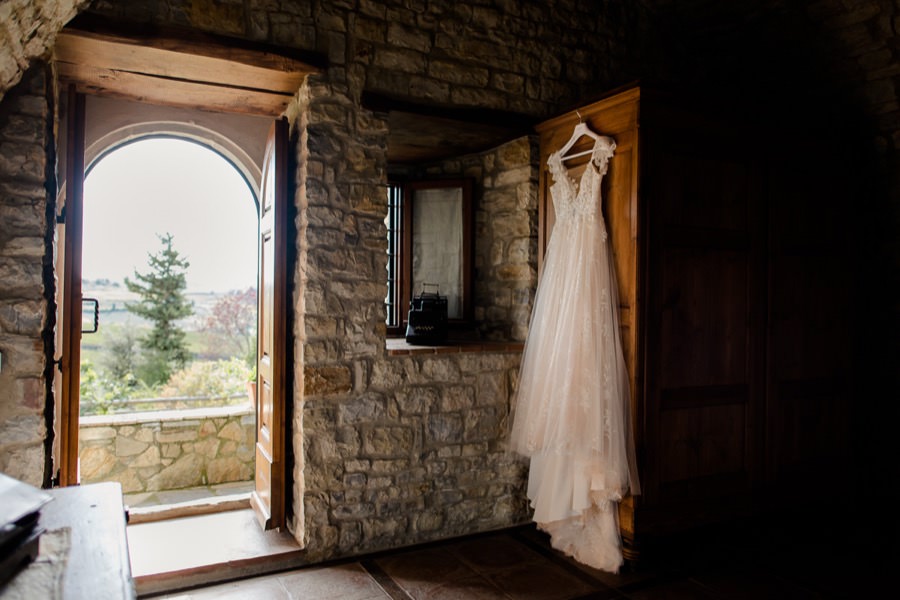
[(93, 125)]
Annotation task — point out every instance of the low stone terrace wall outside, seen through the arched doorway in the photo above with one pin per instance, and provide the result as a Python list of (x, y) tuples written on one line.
[(170, 449)]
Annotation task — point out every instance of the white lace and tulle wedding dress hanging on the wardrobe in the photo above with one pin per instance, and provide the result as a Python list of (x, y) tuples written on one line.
[(572, 415)]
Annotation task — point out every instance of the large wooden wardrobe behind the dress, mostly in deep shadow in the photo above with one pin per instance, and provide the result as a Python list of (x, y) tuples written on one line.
[(728, 256)]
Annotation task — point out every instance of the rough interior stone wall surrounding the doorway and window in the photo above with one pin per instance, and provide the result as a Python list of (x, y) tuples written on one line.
[(352, 405)]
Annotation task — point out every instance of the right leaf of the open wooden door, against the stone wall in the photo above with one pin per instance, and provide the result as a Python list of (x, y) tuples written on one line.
[(269, 498)]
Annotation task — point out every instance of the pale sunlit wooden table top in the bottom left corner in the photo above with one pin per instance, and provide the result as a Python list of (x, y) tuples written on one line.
[(98, 565)]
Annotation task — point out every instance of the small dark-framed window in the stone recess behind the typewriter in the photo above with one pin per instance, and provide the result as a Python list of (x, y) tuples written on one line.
[(429, 225)]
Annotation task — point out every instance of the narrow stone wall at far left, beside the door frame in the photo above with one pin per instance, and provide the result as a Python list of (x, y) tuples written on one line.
[(26, 285)]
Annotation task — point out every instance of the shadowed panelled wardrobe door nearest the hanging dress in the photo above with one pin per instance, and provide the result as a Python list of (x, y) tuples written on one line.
[(705, 338)]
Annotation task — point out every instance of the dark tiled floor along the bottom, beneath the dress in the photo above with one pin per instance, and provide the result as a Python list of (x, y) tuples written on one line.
[(748, 562)]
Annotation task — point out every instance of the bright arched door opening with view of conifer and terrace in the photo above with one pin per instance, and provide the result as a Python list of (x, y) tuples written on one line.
[(169, 265)]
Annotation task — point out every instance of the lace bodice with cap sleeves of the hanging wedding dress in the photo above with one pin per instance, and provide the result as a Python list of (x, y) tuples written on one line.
[(572, 199)]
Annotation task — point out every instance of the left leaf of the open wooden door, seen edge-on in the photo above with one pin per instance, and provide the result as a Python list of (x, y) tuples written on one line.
[(69, 308)]
